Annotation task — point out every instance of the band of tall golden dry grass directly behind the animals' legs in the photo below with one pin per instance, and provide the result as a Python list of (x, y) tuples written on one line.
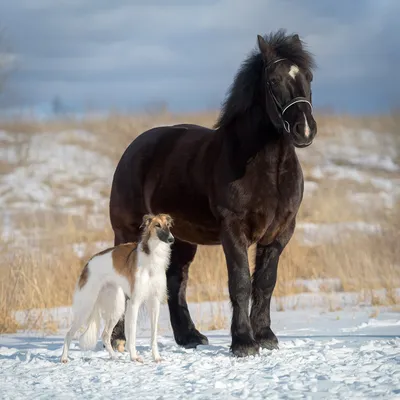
[(45, 279)]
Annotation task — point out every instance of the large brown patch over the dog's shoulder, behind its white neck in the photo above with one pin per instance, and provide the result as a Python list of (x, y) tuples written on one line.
[(124, 259)]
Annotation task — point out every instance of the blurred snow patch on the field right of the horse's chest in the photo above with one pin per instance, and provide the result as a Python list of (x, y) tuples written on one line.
[(360, 156)]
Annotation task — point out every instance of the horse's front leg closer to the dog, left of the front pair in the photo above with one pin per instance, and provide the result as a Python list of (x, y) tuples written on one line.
[(235, 248)]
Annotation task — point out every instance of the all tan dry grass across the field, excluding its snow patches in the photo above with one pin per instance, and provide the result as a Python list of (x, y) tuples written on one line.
[(42, 273)]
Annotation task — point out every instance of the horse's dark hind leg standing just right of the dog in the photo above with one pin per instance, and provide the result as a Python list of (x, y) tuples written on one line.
[(185, 332)]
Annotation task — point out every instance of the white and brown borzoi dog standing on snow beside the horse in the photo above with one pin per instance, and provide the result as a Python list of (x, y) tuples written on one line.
[(137, 270)]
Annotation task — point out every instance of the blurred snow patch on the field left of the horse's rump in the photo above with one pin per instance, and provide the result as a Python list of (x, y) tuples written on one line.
[(50, 170)]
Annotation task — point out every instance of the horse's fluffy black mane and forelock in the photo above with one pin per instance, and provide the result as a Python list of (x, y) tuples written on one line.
[(247, 88)]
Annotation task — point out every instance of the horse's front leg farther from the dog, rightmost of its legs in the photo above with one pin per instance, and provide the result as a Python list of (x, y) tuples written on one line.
[(264, 280)]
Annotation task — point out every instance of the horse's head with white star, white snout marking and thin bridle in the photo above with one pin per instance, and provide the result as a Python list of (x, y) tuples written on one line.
[(288, 89)]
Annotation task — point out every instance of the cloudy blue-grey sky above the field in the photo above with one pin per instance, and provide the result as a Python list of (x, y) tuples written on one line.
[(129, 55)]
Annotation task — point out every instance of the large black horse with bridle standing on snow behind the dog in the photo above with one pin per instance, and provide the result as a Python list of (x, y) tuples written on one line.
[(238, 184)]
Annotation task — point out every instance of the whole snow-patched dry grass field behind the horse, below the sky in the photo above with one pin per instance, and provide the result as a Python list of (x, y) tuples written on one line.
[(55, 180)]
